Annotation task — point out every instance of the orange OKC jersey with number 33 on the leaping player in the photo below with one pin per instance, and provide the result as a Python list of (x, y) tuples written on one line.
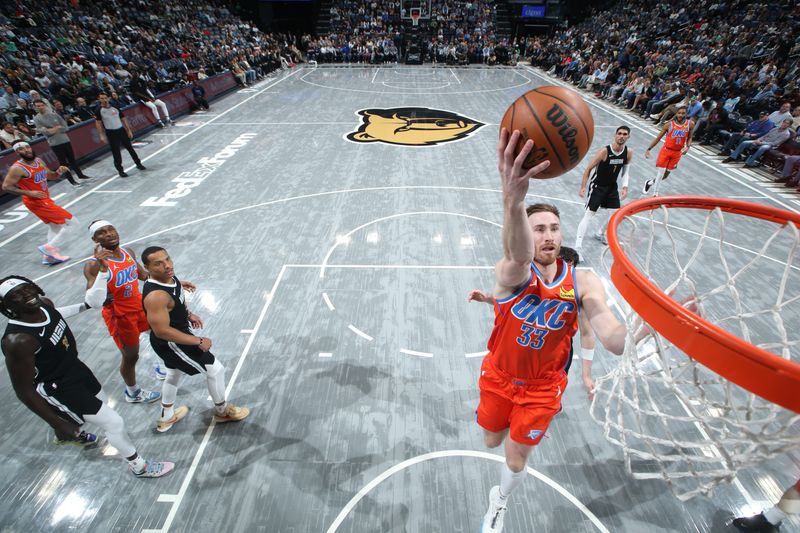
[(533, 328)]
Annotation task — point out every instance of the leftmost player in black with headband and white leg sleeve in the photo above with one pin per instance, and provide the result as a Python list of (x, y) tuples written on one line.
[(42, 361)]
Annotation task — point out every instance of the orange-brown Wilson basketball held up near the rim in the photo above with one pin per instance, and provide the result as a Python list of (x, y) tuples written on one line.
[(560, 124)]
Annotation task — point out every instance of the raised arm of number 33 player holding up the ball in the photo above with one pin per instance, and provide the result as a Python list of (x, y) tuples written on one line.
[(514, 268)]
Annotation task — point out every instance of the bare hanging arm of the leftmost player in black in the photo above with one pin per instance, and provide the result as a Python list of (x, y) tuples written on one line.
[(19, 349)]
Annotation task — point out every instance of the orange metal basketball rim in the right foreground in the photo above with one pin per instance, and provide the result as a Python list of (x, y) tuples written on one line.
[(761, 372)]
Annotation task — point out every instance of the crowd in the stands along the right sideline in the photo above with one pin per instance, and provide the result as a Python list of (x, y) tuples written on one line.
[(735, 66)]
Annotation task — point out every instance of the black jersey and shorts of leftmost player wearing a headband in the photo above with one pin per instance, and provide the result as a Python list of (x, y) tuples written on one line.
[(62, 379)]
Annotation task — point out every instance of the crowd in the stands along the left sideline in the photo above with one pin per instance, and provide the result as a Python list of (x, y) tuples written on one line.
[(67, 53)]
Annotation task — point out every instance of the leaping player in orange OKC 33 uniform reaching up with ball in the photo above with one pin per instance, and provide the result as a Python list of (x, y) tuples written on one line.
[(537, 300)]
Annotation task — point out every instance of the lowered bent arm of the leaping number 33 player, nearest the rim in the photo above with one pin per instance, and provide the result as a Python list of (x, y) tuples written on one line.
[(605, 324)]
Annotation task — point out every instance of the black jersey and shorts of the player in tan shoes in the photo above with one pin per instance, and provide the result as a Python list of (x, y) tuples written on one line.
[(189, 359)]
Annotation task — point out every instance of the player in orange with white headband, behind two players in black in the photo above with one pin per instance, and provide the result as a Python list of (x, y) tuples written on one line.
[(122, 308)]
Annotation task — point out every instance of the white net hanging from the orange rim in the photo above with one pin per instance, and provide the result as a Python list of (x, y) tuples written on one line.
[(673, 418)]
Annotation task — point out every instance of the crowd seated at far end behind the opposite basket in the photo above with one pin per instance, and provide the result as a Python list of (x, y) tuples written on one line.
[(374, 32)]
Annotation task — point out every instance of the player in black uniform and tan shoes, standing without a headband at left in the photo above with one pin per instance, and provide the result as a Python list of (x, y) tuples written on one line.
[(172, 339)]
